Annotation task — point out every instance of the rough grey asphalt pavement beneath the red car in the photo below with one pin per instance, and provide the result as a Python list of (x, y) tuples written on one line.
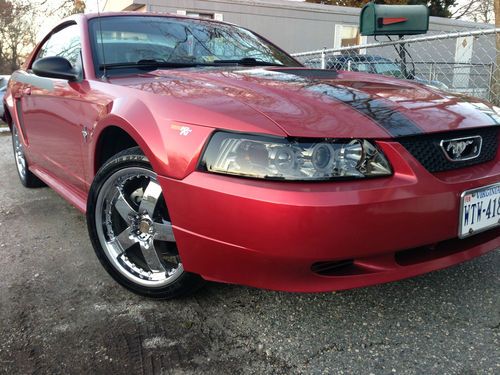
[(61, 313)]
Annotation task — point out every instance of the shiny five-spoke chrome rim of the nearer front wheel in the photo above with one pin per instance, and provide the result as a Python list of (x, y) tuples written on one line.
[(134, 228)]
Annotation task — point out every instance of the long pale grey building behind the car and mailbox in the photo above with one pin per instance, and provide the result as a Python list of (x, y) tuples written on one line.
[(294, 26)]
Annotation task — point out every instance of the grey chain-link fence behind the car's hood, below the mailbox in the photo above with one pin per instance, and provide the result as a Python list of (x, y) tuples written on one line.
[(460, 62)]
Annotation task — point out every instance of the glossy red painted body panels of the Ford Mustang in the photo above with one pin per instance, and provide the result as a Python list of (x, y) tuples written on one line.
[(266, 233)]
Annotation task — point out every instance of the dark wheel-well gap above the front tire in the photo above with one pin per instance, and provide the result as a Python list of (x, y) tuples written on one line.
[(112, 141)]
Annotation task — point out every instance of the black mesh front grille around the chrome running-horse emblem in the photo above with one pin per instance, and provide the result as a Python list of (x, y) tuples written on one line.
[(426, 149)]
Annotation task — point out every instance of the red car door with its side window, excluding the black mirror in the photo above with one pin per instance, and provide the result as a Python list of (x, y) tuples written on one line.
[(54, 113)]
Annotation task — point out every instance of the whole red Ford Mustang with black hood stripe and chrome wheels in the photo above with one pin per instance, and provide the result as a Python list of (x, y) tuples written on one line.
[(201, 151)]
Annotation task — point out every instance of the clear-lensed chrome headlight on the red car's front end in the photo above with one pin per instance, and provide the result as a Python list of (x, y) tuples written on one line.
[(279, 158)]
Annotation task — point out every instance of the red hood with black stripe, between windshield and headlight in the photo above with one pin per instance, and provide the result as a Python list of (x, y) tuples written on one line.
[(319, 103)]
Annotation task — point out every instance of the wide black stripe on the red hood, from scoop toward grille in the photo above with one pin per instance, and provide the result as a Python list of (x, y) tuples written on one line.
[(378, 109)]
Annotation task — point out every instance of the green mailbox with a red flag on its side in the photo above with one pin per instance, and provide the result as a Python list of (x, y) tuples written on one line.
[(376, 19)]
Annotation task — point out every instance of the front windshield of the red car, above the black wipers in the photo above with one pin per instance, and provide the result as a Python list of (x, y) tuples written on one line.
[(128, 40)]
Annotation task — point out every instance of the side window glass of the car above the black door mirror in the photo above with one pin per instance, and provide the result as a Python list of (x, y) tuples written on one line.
[(65, 43)]
